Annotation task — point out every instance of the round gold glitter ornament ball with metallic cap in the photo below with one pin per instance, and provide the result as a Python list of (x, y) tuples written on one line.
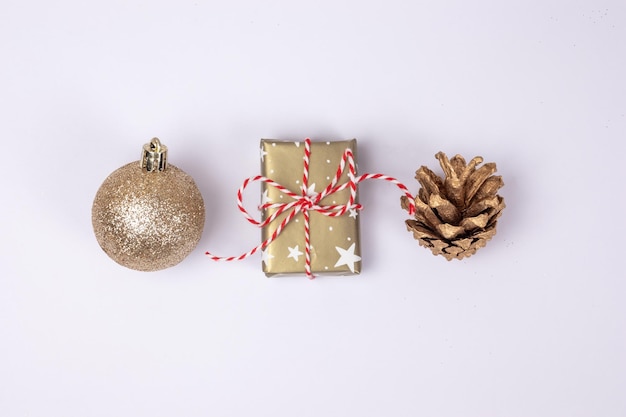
[(149, 215)]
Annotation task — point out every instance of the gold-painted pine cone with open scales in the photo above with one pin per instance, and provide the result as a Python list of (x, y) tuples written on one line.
[(456, 216)]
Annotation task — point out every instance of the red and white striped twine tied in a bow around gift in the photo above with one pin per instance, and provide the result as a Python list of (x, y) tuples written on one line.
[(303, 203)]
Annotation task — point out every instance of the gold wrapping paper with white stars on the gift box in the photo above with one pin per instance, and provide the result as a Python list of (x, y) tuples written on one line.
[(335, 247)]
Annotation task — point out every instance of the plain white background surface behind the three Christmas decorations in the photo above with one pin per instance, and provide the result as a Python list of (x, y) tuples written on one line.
[(533, 325)]
